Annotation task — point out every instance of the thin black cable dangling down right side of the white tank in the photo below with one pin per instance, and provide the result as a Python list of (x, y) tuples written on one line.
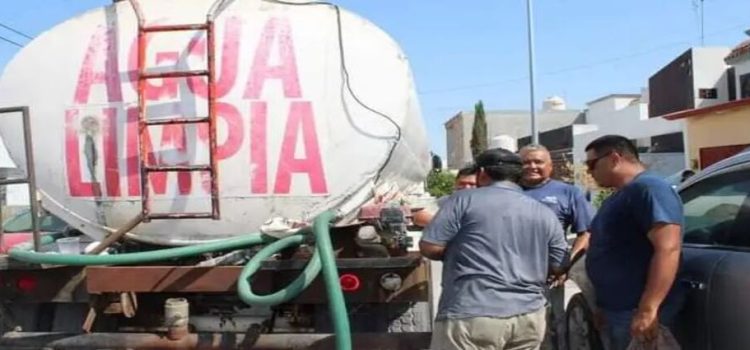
[(345, 73)]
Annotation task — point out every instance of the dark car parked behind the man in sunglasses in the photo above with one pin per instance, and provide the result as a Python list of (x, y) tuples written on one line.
[(715, 265)]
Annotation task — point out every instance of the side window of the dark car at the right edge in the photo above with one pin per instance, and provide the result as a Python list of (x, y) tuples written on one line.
[(715, 209)]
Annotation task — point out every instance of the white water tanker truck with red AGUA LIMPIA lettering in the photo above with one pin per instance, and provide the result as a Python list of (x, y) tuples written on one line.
[(231, 174)]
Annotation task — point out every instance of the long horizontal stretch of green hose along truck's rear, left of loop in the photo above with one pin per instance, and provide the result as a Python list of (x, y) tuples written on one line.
[(23, 253)]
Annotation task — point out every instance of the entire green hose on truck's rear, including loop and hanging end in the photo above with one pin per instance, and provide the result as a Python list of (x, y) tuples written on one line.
[(322, 259)]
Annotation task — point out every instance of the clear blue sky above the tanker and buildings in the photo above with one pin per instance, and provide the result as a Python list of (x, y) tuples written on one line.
[(461, 53)]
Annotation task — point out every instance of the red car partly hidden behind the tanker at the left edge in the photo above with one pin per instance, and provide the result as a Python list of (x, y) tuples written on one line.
[(17, 229)]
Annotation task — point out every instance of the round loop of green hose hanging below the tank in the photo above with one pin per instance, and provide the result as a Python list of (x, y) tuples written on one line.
[(244, 290)]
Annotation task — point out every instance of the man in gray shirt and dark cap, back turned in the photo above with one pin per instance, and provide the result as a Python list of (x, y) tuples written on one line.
[(498, 247)]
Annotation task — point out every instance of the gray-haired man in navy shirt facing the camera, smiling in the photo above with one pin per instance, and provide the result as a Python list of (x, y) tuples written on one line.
[(574, 212)]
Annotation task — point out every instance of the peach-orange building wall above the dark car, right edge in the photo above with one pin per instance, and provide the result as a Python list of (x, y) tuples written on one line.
[(717, 129)]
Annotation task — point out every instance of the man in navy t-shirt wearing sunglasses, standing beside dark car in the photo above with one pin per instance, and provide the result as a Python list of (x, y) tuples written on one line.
[(635, 245)]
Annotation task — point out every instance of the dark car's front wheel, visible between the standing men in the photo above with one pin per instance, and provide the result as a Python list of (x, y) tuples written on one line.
[(579, 320)]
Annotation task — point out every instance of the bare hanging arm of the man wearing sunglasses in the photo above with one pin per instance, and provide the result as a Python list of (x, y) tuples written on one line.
[(667, 241)]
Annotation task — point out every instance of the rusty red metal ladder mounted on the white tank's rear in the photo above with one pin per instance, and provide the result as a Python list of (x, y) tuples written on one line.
[(144, 123)]
